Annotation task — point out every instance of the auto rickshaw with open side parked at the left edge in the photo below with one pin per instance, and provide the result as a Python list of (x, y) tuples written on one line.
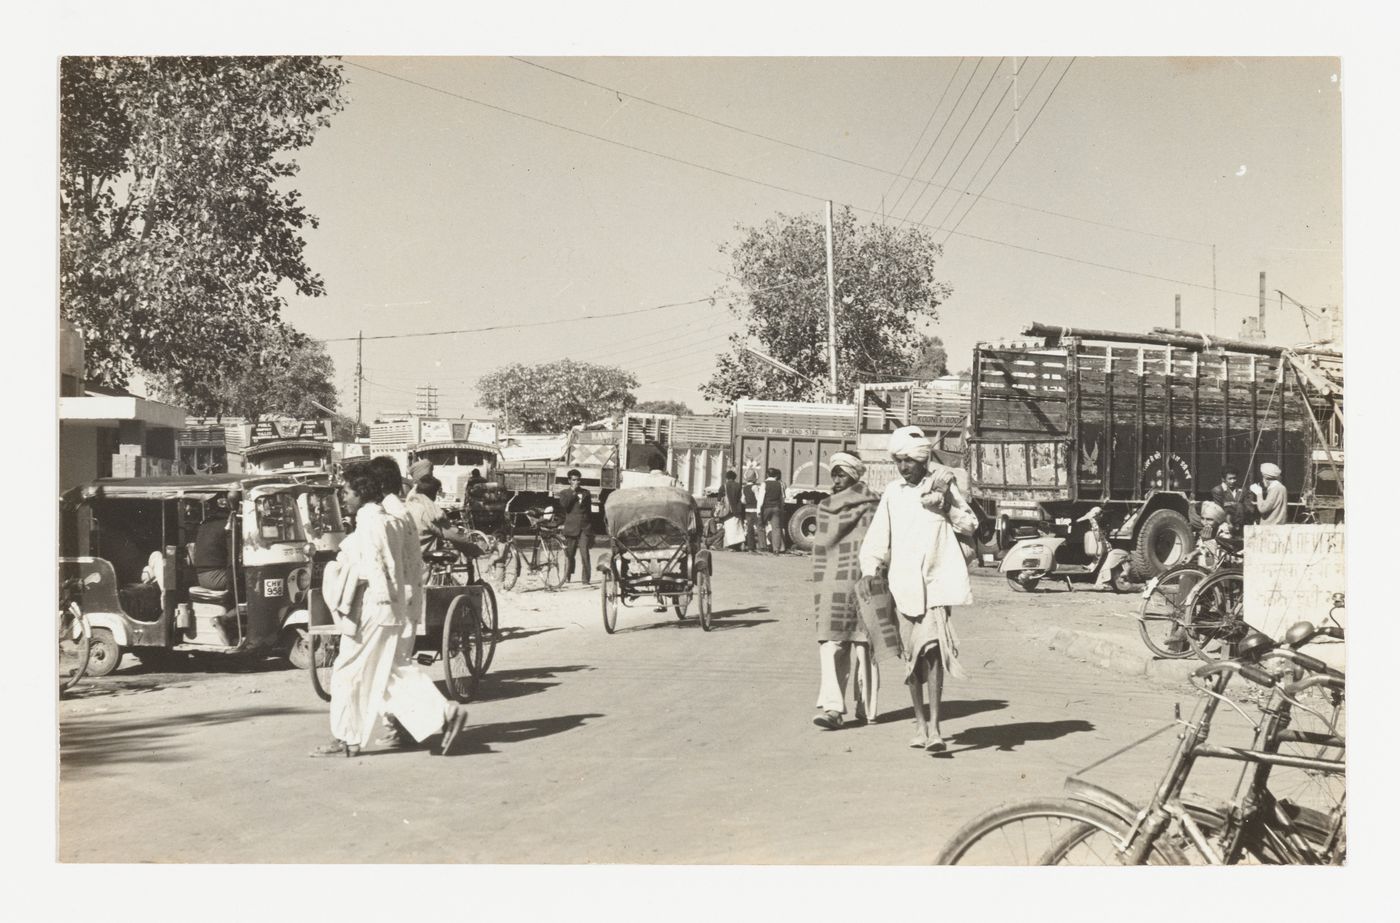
[(131, 546)]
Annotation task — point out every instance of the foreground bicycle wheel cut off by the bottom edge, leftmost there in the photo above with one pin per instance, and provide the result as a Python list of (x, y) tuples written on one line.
[(1046, 831)]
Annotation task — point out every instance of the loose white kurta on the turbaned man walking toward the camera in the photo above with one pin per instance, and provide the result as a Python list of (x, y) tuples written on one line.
[(926, 564)]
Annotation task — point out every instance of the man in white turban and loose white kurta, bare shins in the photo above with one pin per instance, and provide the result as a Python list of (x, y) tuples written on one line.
[(912, 540)]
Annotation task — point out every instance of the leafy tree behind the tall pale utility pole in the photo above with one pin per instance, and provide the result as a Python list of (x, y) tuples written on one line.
[(885, 293)]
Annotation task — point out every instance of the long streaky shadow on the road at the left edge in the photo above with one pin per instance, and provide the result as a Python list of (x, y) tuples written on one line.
[(97, 740)]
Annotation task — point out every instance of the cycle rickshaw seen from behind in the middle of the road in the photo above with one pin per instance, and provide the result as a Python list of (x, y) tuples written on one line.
[(656, 551)]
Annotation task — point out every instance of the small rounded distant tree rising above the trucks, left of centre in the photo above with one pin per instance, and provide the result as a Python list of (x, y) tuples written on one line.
[(554, 397)]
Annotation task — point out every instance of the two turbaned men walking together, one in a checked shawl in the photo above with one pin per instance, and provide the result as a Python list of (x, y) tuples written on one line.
[(888, 571)]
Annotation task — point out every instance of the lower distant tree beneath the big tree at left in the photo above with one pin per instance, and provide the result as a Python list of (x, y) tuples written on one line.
[(285, 372)]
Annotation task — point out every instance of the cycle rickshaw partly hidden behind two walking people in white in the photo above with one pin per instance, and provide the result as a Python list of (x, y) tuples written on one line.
[(458, 624)]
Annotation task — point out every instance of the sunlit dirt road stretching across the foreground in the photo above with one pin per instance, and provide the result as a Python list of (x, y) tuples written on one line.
[(657, 744)]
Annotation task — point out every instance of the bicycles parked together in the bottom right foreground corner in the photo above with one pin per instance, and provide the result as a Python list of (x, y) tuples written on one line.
[(1093, 826)]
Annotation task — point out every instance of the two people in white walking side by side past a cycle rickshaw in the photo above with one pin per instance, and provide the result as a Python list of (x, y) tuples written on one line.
[(374, 590)]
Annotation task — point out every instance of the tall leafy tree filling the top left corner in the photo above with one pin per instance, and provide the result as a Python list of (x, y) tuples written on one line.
[(177, 232)]
